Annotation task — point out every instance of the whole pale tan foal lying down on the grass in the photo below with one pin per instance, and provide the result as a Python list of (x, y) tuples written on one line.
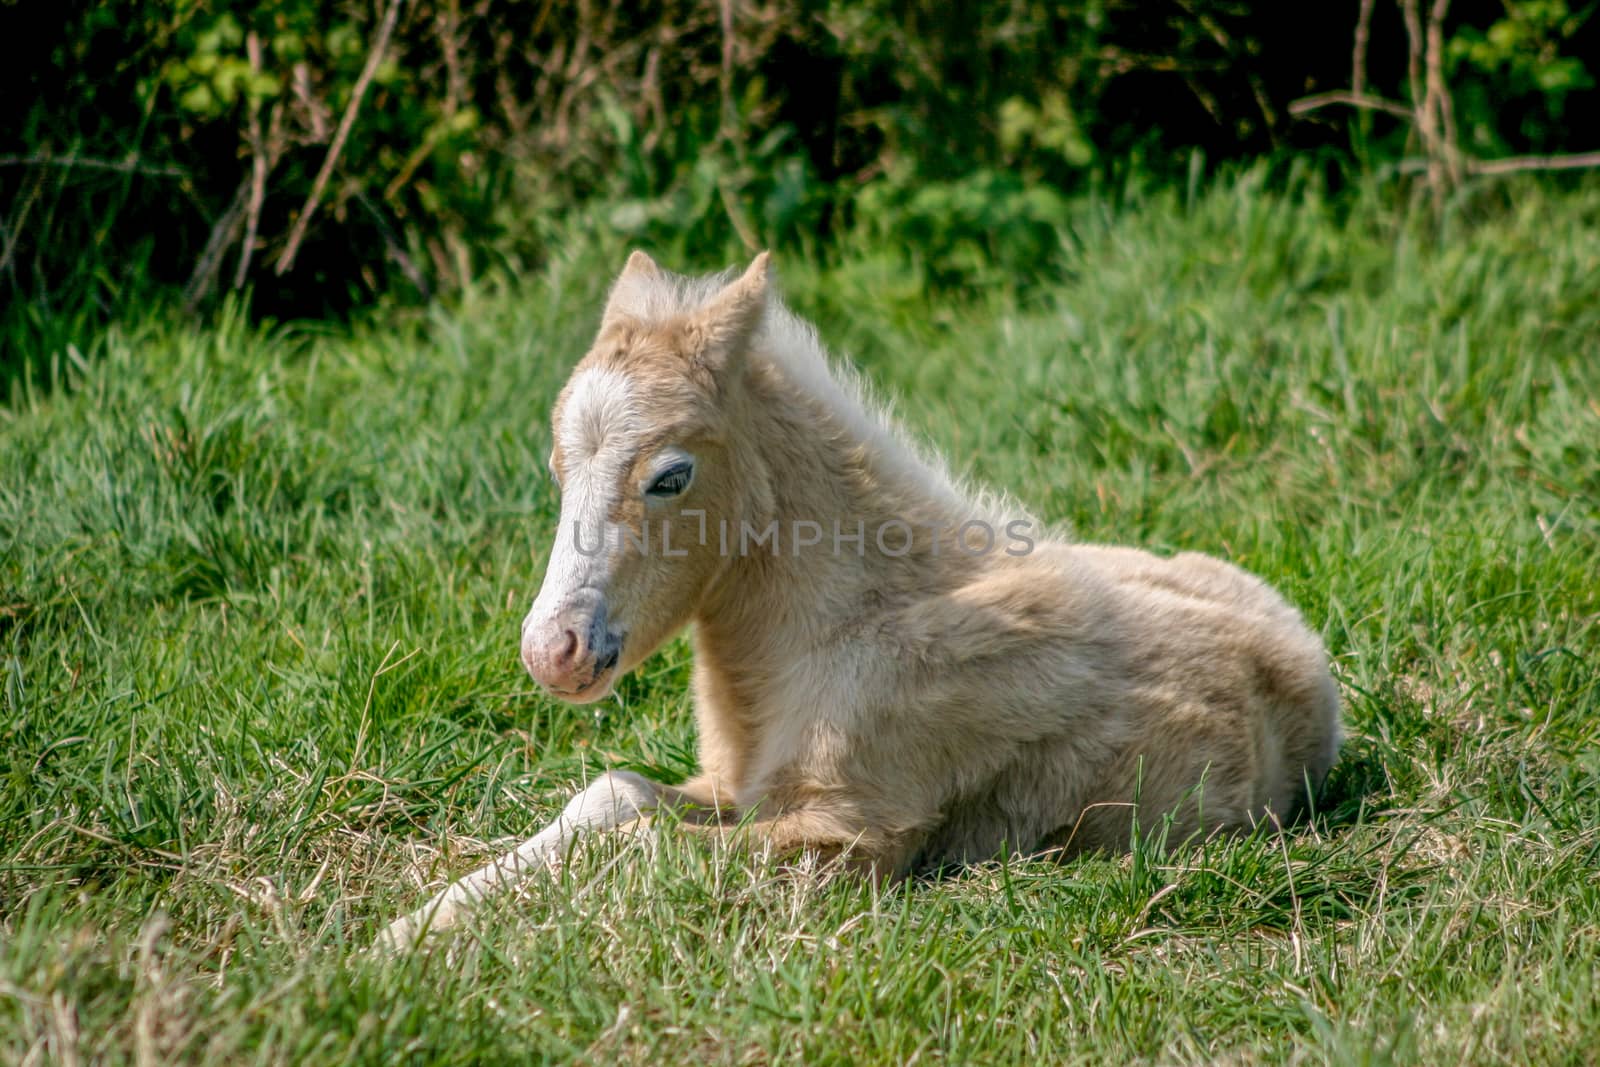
[(884, 665)]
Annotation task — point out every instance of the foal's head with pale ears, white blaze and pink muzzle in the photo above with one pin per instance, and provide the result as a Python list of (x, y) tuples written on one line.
[(649, 465)]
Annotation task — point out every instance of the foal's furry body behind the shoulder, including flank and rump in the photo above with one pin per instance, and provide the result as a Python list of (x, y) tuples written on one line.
[(1180, 687)]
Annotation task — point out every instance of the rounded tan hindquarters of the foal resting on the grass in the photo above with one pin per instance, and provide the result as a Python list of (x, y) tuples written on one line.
[(1231, 709)]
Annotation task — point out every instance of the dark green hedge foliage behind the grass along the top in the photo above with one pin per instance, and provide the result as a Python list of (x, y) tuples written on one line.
[(134, 129)]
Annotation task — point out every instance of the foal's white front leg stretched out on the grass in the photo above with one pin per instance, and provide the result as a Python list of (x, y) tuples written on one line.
[(612, 801)]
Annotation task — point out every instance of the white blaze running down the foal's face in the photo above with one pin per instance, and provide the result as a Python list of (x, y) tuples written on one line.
[(598, 438)]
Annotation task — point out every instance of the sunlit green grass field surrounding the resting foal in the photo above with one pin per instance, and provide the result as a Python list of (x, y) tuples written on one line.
[(260, 594)]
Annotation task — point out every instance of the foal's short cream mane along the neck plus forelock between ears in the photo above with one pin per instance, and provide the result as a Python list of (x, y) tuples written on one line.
[(791, 345)]
